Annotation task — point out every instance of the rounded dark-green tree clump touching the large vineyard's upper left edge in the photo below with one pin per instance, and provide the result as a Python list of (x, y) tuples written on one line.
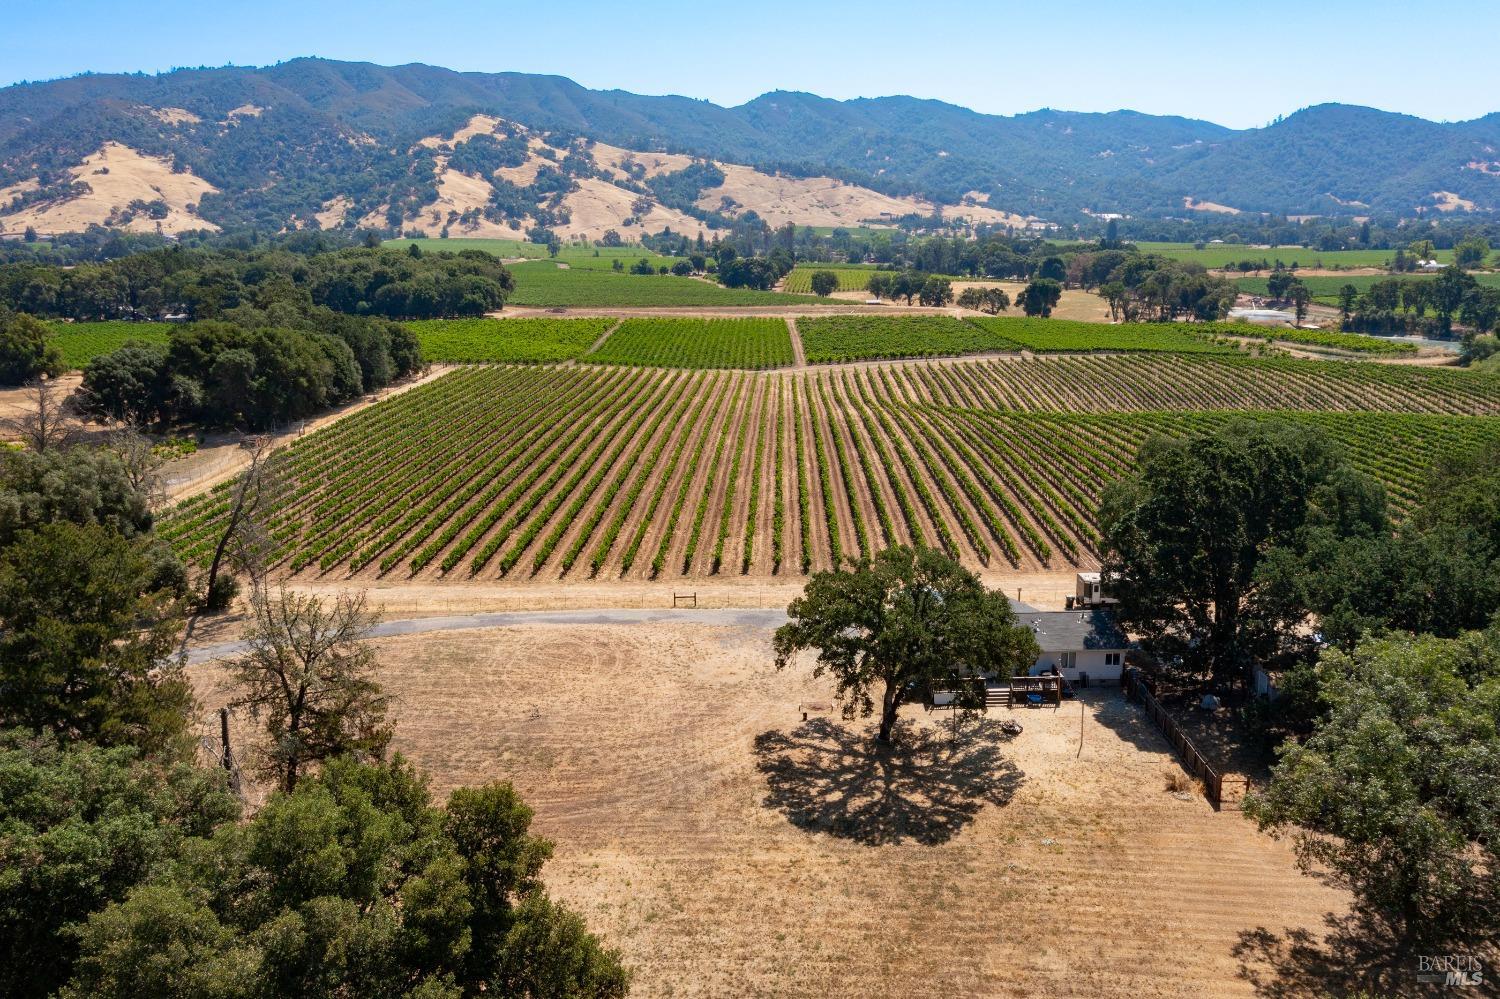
[(251, 370)]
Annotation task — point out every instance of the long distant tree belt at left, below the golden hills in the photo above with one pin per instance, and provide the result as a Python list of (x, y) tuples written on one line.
[(200, 284)]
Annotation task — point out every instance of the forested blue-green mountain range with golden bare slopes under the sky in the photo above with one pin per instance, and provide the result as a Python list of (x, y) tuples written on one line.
[(355, 142)]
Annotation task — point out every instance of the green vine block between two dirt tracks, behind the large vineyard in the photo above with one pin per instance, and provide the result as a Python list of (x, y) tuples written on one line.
[(665, 343)]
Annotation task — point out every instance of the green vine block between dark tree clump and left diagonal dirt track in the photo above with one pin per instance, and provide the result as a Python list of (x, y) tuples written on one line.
[(512, 341)]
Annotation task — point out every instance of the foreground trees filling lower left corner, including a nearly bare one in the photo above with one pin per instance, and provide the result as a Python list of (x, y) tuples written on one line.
[(133, 869)]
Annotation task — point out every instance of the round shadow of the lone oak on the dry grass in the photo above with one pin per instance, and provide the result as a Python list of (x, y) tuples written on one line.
[(923, 788)]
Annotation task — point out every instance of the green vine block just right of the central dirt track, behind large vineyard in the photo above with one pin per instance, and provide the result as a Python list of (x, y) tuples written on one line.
[(839, 338)]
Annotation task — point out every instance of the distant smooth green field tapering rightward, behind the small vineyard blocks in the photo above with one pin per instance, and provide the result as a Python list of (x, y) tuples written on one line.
[(544, 284)]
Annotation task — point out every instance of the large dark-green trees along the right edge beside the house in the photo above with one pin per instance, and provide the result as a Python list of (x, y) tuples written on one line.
[(1258, 545)]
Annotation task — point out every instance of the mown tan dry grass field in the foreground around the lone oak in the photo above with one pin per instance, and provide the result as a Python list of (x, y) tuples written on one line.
[(730, 850)]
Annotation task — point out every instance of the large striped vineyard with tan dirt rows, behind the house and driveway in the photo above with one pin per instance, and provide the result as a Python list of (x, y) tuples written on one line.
[(638, 473)]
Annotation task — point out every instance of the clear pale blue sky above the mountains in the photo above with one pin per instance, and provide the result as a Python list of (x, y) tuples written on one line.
[(1235, 64)]
